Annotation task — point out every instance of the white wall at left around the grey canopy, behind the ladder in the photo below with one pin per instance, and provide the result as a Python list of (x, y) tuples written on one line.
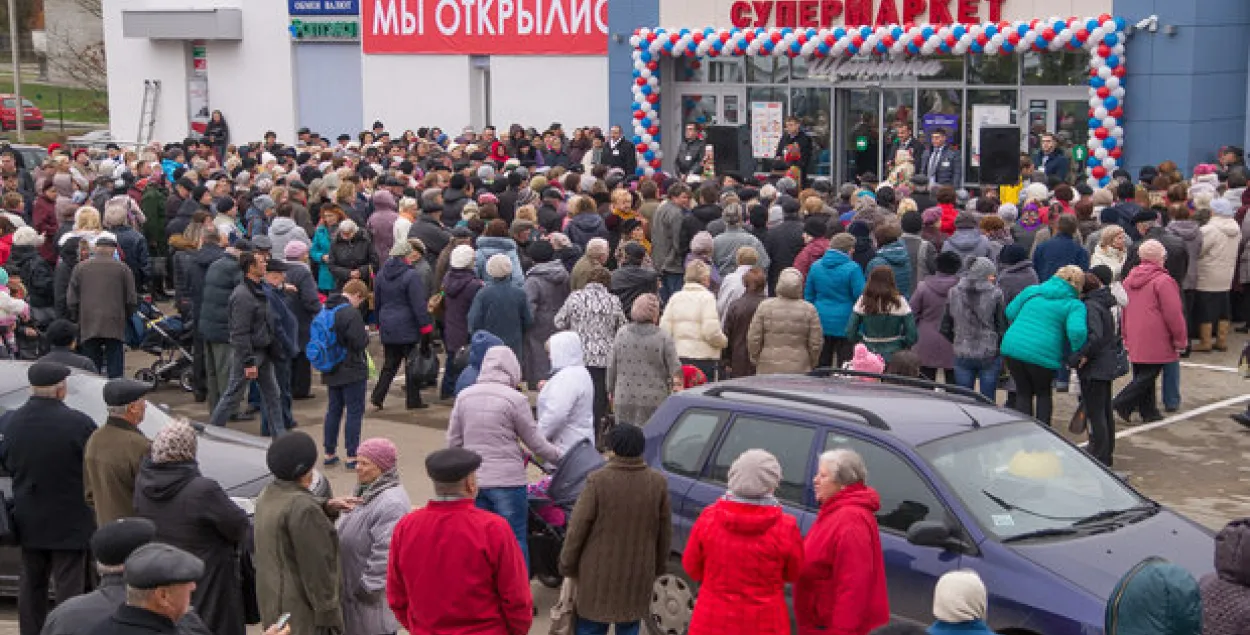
[(249, 81)]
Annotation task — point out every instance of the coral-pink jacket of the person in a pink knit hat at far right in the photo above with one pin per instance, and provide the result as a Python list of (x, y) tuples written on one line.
[(1154, 323)]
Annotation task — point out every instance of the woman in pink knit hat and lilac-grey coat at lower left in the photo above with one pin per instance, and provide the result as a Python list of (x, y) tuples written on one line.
[(364, 539)]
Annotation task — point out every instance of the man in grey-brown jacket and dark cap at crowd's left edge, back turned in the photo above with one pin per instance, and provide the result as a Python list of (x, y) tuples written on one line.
[(107, 288)]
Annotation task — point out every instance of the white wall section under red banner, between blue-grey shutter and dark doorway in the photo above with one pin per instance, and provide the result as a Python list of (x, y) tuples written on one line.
[(409, 92)]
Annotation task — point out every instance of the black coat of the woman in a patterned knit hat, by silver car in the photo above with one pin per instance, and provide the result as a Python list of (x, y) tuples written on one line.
[(196, 514)]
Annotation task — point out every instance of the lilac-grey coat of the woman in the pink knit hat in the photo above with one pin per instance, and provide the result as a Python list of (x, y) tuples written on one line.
[(364, 547)]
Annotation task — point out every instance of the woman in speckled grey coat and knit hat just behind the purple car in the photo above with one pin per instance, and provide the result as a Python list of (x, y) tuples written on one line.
[(643, 367)]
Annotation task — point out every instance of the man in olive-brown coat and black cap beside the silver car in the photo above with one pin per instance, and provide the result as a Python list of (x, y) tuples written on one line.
[(116, 452)]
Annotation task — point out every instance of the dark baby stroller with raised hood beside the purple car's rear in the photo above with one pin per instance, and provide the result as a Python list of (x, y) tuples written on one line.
[(551, 506)]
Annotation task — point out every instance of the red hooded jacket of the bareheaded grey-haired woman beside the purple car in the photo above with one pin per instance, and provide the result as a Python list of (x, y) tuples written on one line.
[(842, 588)]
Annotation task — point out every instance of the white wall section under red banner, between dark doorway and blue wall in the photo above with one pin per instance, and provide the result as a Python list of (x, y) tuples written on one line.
[(536, 92)]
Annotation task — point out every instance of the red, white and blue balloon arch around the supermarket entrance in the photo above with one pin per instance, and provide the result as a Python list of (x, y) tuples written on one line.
[(1103, 37)]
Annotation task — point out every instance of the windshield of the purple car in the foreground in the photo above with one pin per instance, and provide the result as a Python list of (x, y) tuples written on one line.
[(1022, 481)]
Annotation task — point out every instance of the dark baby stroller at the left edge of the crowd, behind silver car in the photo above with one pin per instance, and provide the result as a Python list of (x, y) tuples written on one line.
[(166, 337)]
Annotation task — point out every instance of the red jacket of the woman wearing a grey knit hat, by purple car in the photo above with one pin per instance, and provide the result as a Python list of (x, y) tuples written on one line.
[(743, 556)]
